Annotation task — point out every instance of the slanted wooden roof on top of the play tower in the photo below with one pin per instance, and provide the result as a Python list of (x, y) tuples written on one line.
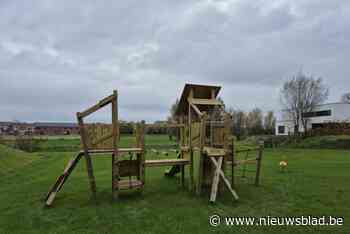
[(204, 95)]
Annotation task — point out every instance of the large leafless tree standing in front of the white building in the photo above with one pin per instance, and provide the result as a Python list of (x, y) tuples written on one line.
[(300, 95)]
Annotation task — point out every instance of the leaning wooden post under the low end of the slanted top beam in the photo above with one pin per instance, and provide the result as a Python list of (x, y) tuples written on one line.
[(87, 156)]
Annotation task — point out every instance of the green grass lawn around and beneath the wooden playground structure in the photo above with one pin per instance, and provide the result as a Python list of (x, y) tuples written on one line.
[(316, 183)]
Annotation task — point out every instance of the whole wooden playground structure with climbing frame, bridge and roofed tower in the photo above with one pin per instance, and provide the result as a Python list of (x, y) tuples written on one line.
[(205, 131)]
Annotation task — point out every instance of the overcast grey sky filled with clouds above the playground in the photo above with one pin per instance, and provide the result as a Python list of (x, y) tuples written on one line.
[(59, 57)]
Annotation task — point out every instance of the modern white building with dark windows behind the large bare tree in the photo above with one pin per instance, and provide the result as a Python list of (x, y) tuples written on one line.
[(325, 113)]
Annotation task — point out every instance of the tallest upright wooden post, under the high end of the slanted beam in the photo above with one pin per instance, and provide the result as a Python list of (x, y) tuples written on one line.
[(115, 165)]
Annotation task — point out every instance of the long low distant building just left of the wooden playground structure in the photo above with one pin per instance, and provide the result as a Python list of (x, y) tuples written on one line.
[(55, 128)]
